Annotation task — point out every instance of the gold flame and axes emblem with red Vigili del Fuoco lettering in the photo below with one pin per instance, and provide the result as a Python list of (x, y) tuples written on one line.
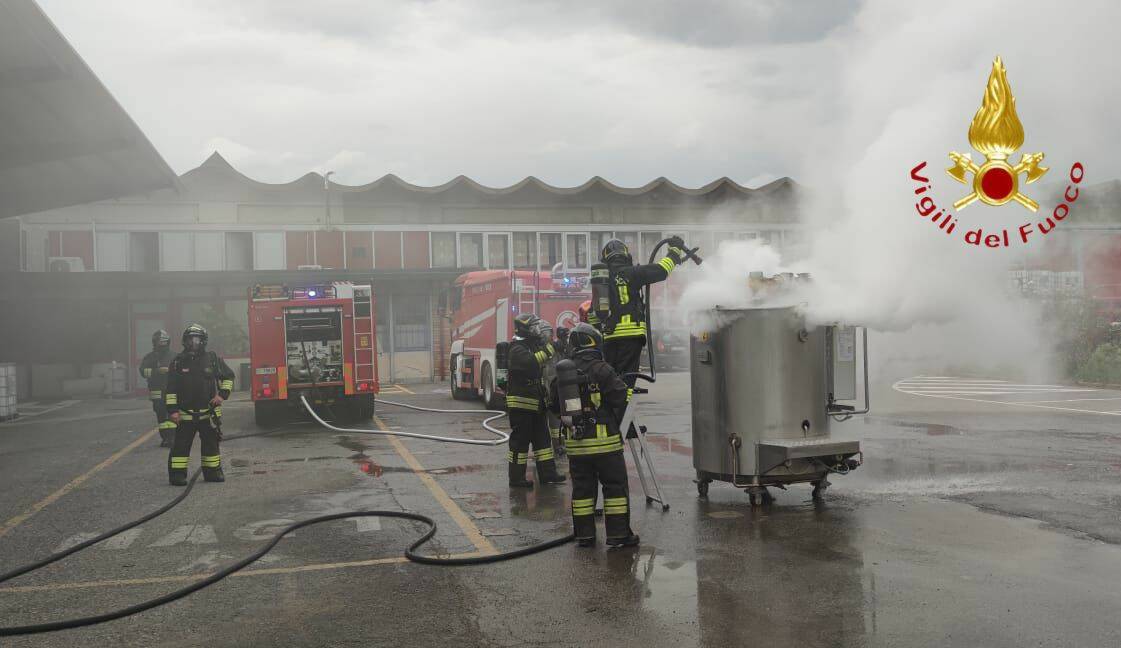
[(997, 134)]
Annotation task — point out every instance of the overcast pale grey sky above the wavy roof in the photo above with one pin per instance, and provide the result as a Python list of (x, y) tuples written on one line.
[(631, 90)]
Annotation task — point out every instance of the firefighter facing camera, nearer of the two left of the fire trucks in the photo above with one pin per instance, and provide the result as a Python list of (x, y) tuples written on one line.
[(198, 383)]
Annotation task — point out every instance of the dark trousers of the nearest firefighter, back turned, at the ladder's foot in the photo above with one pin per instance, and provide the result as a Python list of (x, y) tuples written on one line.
[(588, 473)]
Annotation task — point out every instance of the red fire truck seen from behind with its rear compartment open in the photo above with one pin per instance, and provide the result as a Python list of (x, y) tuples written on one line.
[(316, 340)]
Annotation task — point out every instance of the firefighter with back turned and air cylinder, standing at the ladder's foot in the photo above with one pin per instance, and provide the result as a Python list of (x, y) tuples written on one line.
[(597, 459)]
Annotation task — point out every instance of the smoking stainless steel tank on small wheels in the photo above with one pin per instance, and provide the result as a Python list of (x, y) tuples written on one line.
[(765, 390)]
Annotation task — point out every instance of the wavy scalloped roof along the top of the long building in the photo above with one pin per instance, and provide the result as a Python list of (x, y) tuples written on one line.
[(218, 180)]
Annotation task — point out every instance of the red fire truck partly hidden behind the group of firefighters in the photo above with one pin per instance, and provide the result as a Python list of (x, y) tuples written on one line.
[(484, 306)]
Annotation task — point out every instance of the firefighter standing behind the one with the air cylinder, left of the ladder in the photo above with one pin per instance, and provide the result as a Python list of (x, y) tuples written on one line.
[(525, 403)]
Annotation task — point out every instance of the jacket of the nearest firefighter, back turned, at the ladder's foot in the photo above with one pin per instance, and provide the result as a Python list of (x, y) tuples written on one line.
[(609, 396)]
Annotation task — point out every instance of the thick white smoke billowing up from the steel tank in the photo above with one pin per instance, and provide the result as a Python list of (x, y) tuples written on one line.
[(909, 84)]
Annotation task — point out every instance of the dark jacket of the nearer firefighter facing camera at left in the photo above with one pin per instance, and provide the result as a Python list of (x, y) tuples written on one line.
[(193, 379)]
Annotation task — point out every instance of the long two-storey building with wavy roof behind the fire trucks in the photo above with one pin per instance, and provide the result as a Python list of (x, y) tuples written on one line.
[(191, 253)]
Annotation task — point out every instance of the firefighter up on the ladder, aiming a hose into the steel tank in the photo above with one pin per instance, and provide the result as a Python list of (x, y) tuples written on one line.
[(625, 327)]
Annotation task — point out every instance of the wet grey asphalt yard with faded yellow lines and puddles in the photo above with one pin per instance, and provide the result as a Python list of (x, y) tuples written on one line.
[(972, 523)]
